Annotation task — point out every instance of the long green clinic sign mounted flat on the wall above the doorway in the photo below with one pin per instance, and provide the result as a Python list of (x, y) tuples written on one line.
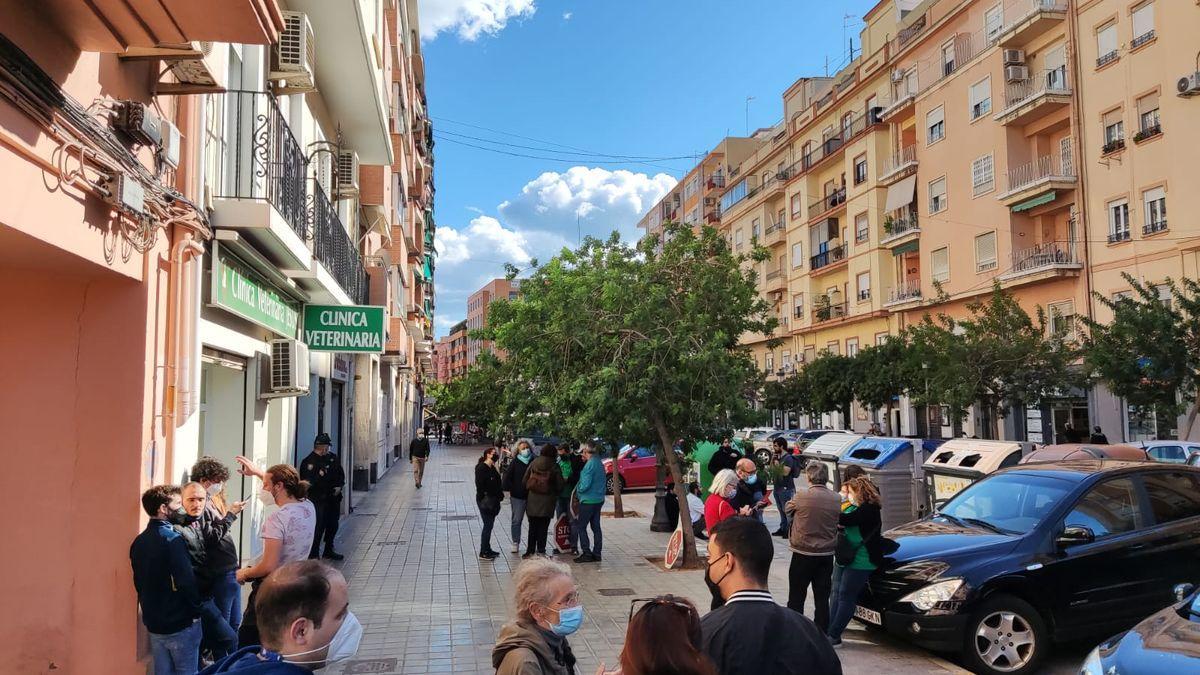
[(239, 290)]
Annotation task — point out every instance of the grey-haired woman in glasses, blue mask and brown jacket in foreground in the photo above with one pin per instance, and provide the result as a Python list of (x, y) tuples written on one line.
[(549, 611)]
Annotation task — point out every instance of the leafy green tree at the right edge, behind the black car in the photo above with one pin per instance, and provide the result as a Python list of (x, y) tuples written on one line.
[(1150, 353)]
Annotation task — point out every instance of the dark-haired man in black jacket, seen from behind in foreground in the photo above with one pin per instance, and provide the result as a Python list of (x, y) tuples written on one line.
[(752, 635)]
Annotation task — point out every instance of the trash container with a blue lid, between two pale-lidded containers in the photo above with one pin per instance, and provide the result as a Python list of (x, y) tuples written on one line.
[(896, 468)]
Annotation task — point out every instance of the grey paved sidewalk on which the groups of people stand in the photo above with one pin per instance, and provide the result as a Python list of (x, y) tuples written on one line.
[(429, 605)]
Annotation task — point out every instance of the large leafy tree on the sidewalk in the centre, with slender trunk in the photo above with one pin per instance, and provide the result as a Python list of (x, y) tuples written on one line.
[(615, 341)]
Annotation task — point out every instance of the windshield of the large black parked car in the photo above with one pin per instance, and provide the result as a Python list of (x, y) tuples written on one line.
[(1009, 503)]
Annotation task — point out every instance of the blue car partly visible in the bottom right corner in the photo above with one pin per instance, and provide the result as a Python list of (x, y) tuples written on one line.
[(1168, 642)]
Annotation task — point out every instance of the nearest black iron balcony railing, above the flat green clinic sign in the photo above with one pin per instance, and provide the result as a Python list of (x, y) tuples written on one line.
[(257, 157)]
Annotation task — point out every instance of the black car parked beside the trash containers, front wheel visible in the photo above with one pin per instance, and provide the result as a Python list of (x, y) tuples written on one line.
[(1036, 554)]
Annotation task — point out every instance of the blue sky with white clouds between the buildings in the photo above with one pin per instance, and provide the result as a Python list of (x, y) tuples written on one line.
[(646, 79)]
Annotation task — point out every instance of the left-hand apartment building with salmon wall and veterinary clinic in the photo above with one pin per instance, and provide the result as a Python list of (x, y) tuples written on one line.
[(181, 188)]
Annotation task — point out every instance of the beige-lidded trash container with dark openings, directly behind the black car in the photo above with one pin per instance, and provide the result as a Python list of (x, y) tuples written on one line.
[(959, 463)]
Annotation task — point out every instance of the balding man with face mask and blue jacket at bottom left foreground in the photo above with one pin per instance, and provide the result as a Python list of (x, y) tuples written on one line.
[(304, 620)]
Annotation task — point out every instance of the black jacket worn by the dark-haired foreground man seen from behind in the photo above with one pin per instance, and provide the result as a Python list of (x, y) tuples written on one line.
[(753, 636)]
